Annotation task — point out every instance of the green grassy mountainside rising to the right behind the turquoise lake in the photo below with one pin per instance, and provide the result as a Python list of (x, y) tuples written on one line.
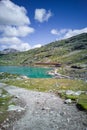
[(67, 52)]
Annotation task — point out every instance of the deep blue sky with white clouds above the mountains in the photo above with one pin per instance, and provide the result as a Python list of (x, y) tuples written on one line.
[(26, 24)]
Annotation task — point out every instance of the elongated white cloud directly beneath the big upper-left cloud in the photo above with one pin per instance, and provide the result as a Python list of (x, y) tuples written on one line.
[(20, 31)]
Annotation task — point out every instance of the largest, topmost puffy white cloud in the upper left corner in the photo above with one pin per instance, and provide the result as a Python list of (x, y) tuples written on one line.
[(12, 14)]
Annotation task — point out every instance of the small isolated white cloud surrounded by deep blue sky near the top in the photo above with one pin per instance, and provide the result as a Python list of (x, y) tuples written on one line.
[(42, 15)]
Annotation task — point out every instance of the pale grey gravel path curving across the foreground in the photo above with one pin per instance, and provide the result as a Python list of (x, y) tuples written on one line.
[(45, 111)]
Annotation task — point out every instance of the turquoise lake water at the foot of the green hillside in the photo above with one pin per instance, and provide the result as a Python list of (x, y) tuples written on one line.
[(32, 72)]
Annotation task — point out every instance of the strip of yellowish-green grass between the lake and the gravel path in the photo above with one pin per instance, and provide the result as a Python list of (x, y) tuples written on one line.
[(45, 85)]
